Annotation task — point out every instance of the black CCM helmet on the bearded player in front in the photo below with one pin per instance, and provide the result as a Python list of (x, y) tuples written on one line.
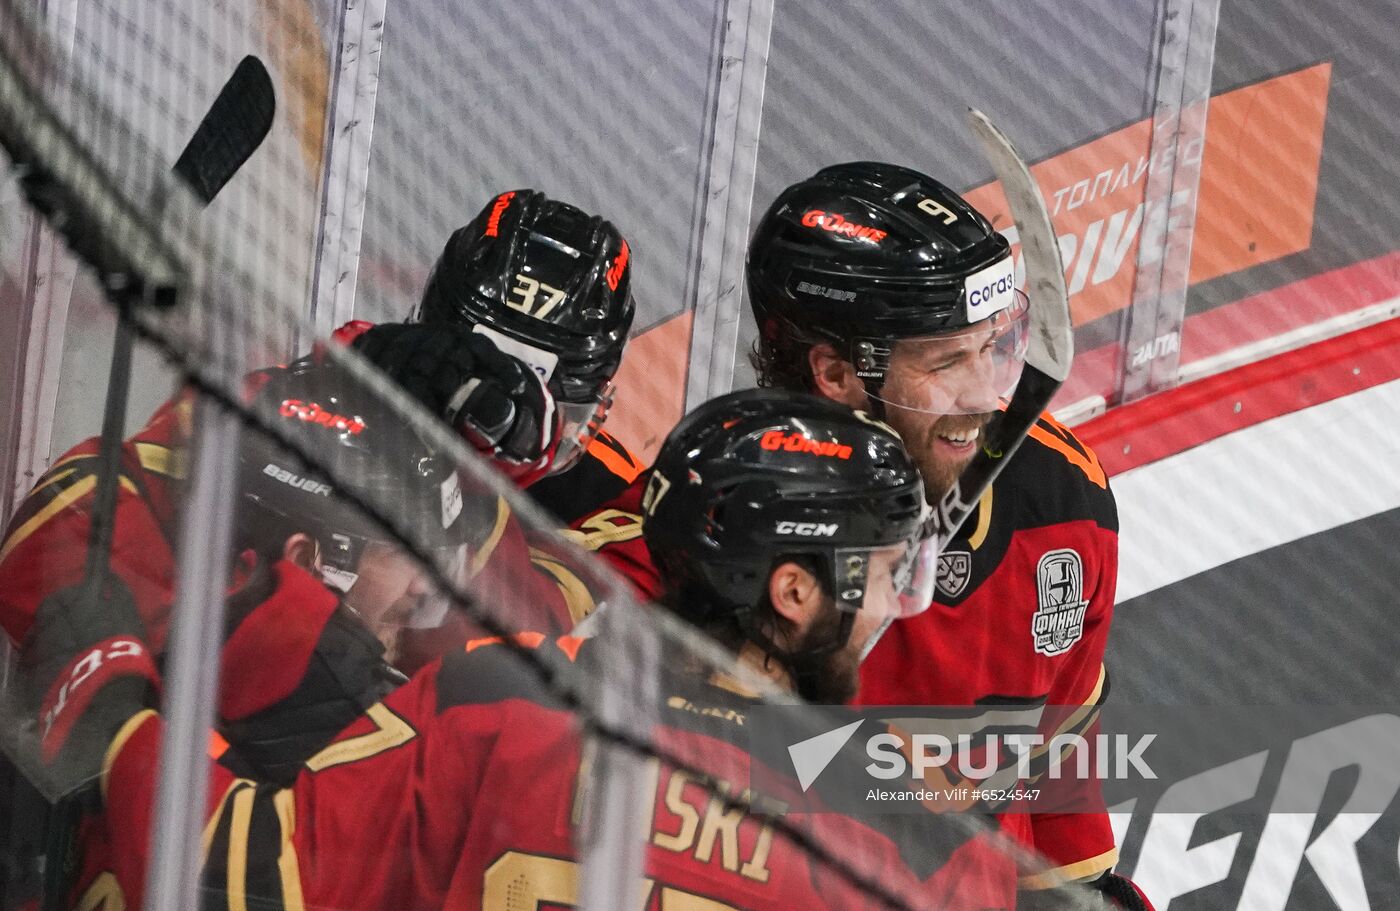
[(761, 475)]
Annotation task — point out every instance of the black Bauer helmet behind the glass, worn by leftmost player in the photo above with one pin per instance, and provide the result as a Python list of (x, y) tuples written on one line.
[(348, 450)]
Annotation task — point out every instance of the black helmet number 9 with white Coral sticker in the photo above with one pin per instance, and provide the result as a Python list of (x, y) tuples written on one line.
[(864, 255)]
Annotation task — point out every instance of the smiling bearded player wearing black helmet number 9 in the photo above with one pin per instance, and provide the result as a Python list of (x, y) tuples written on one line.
[(876, 286)]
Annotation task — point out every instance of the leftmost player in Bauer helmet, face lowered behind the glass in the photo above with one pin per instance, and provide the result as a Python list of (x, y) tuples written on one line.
[(316, 583)]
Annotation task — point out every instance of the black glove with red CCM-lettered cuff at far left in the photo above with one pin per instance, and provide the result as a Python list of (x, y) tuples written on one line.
[(89, 672)]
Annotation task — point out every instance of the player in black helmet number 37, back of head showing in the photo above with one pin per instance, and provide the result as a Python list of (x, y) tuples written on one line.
[(534, 278)]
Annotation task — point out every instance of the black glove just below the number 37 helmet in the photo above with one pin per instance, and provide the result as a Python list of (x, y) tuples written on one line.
[(496, 402)]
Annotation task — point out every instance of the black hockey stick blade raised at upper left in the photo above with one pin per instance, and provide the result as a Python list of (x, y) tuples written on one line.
[(232, 132)]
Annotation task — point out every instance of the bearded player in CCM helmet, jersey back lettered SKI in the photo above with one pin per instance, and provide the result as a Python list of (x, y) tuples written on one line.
[(458, 790)]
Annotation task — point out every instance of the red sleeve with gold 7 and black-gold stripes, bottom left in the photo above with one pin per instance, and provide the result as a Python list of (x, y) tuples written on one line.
[(376, 819)]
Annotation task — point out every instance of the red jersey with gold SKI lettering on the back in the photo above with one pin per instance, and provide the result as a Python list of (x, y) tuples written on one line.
[(463, 790)]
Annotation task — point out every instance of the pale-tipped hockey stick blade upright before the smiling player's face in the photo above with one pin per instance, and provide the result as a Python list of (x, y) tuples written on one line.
[(1052, 334)]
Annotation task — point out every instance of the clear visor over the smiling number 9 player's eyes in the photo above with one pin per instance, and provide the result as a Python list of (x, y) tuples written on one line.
[(969, 372)]
